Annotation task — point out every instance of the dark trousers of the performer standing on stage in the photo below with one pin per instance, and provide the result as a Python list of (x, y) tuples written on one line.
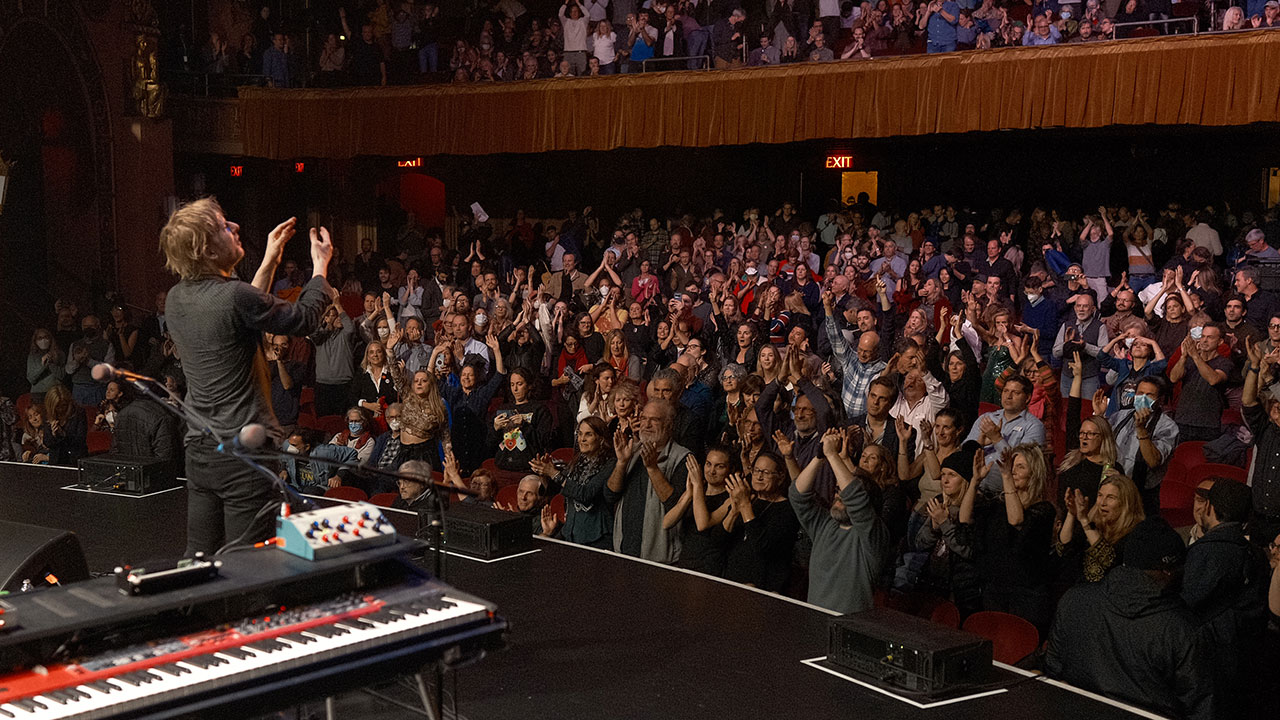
[(226, 500)]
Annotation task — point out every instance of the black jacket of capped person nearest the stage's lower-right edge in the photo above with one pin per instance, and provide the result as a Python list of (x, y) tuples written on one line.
[(1132, 640)]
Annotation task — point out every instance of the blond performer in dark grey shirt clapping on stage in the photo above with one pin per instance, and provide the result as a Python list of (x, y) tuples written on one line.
[(217, 323)]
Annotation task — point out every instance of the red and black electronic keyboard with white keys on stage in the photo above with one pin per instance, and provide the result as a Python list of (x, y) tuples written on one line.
[(367, 617)]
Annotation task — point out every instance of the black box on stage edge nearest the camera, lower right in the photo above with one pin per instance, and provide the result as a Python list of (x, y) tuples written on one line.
[(909, 653)]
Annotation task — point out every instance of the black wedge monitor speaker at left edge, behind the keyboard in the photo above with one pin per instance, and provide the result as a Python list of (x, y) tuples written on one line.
[(31, 553)]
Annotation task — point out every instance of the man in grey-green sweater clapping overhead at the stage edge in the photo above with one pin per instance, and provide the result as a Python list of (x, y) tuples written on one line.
[(849, 541)]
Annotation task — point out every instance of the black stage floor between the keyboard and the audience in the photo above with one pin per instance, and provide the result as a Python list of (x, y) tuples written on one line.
[(593, 635)]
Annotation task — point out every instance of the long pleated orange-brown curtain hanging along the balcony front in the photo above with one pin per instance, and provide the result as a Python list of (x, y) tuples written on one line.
[(1226, 80)]
